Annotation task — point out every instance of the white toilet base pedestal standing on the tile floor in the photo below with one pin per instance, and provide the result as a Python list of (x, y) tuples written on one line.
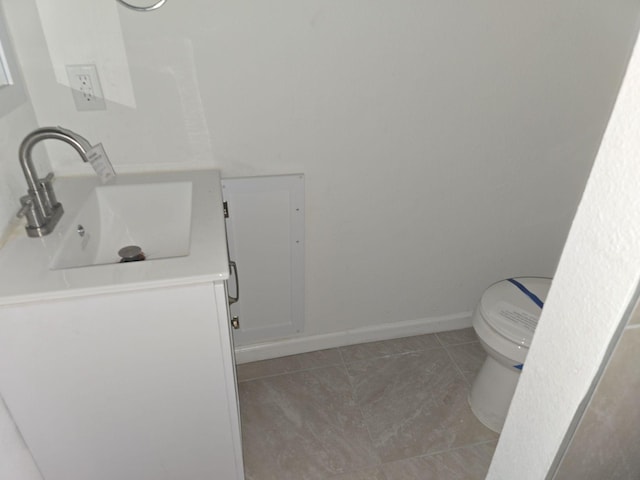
[(491, 393)]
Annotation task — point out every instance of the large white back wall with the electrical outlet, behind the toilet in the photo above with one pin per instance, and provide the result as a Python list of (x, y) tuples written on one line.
[(445, 145)]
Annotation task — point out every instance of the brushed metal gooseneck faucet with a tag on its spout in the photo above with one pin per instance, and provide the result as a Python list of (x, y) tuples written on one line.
[(40, 206)]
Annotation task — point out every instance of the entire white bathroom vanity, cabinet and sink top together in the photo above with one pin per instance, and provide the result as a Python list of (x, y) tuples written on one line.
[(123, 370)]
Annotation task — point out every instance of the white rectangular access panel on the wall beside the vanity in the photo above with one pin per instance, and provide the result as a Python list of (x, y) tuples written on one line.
[(265, 231)]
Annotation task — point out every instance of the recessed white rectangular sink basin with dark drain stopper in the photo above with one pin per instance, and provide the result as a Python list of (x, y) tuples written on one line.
[(154, 216)]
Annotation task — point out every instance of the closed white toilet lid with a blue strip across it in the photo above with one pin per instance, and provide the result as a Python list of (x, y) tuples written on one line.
[(510, 311)]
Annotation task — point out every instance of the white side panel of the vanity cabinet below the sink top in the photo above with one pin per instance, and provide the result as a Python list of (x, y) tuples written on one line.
[(131, 385)]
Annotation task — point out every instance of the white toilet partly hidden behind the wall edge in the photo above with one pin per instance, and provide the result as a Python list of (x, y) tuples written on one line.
[(505, 321)]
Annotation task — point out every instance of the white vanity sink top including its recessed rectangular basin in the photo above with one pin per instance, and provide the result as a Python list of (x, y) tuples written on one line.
[(176, 217)]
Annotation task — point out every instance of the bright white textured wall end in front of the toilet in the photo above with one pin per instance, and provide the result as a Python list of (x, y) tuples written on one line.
[(595, 282)]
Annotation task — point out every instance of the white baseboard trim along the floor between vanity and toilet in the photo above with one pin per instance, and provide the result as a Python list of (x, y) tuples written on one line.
[(387, 331)]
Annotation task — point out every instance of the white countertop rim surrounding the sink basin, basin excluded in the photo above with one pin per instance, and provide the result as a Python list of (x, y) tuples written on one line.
[(25, 275)]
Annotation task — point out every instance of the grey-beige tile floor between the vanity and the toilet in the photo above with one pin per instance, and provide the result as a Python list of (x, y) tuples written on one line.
[(395, 409)]
